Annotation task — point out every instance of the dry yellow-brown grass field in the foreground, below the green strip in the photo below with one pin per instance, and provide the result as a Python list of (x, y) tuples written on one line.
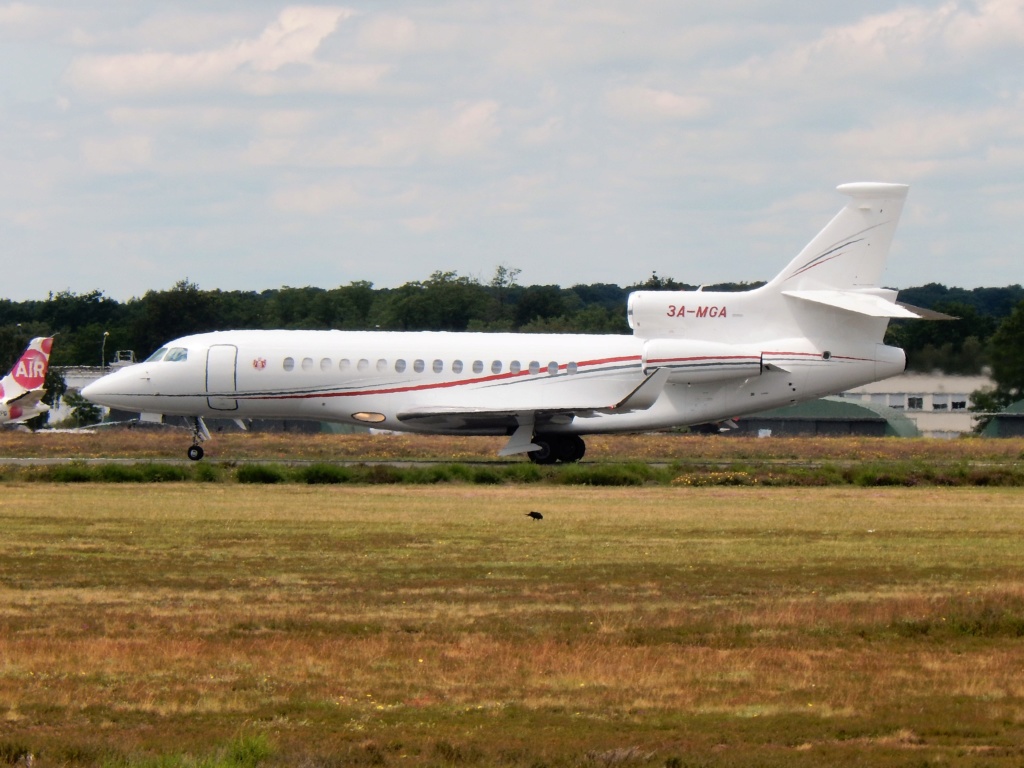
[(232, 625)]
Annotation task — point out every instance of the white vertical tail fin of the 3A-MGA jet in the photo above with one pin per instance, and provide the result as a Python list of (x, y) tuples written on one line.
[(849, 254)]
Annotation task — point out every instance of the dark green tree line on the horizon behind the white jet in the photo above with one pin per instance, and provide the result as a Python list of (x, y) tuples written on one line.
[(93, 327)]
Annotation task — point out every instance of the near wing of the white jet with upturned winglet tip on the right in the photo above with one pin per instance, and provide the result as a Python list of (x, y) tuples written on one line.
[(523, 420)]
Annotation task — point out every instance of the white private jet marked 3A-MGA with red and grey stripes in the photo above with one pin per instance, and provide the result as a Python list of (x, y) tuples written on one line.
[(695, 357)]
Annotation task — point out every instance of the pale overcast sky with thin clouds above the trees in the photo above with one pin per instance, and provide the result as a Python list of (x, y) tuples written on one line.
[(255, 145)]
